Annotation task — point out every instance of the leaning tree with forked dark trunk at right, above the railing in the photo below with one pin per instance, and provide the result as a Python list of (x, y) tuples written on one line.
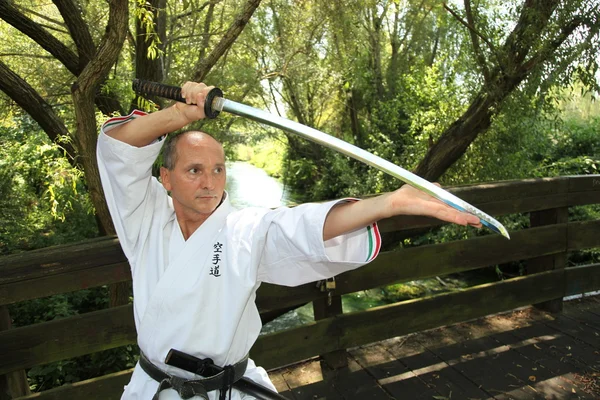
[(547, 32)]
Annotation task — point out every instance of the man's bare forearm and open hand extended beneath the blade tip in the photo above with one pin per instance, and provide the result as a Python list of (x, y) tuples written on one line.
[(407, 200)]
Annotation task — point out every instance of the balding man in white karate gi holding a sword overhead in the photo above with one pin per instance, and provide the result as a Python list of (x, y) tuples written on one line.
[(197, 263)]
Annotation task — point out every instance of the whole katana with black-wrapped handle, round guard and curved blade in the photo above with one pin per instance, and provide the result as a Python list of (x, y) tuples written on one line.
[(215, 103)]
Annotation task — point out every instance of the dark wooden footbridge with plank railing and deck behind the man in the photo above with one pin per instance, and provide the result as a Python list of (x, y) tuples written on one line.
[(499, 360)]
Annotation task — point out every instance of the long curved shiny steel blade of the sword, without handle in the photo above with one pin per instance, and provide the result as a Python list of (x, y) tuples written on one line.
[(242, 110)]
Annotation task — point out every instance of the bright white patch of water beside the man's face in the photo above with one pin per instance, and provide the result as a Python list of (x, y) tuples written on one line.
[(249, 186)]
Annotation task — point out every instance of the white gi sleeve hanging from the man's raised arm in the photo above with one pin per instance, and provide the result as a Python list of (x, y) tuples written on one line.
[(129, 188)]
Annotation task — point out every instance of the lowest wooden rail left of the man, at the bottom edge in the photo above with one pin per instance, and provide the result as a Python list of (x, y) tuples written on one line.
[(107, 387)]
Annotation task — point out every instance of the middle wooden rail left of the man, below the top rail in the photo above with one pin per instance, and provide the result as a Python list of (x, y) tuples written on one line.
[(70, 337)]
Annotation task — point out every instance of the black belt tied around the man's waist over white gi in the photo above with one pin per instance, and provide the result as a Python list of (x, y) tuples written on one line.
[(187, 388)]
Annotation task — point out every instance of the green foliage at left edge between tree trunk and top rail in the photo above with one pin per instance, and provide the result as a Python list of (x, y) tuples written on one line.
[(43, 201)]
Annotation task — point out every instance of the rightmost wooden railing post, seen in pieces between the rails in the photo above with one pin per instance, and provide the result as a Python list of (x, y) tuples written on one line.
[(550, 262)]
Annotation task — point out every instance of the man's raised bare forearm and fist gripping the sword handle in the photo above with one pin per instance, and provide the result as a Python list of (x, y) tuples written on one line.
[(143, 131)]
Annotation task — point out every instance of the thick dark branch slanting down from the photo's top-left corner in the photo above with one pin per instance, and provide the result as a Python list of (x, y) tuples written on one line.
[(48, 42)]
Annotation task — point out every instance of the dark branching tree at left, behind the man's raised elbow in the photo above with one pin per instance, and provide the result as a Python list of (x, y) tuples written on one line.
[(71, 25)]
